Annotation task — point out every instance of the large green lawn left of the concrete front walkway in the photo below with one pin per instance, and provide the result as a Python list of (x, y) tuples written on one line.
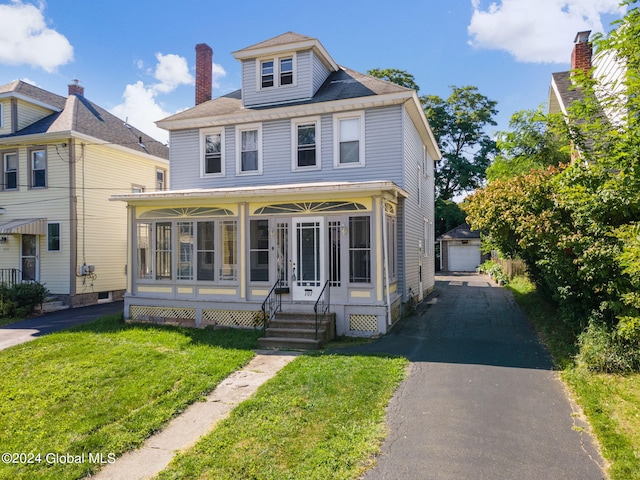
[(103, 388)]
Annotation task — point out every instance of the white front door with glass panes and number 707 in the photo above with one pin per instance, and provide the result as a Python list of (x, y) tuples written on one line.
[(308, 276)]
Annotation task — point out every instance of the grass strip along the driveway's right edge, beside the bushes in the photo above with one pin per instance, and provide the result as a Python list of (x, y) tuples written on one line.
[(611, 402)]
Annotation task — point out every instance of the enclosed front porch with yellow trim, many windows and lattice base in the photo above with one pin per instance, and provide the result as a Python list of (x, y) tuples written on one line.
[(202, 258)]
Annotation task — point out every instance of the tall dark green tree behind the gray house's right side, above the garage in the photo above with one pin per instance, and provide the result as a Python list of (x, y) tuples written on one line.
[(458, 124)]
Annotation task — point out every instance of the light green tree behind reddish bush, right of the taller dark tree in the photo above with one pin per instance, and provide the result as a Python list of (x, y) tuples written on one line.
[(535, 140)]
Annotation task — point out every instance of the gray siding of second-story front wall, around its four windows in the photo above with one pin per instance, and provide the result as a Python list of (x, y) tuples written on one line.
[(383, 148)]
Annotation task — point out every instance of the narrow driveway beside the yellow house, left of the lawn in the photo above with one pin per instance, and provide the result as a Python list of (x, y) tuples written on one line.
[(25, 330)]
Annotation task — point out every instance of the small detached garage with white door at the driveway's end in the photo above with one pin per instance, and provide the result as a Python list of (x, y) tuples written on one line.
[(460, 250)]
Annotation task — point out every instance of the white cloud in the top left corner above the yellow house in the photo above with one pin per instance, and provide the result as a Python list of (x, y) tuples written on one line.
[(26, 39)]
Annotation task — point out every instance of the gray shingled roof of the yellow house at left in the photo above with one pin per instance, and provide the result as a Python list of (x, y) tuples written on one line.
[(77, 114)]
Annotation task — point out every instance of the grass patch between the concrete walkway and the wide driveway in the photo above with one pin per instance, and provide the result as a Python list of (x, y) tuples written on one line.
[(321, 417)]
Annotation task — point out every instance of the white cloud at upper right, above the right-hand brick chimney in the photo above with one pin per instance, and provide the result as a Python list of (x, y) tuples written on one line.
[(536, 31)]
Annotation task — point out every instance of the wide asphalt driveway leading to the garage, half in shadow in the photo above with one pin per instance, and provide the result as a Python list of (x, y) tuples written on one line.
[(482, 400)]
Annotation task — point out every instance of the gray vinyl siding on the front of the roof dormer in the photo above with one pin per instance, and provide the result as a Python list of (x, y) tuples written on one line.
[(252, 95)]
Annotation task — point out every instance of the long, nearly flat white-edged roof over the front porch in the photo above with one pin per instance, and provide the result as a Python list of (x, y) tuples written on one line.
[(245, 192)]
